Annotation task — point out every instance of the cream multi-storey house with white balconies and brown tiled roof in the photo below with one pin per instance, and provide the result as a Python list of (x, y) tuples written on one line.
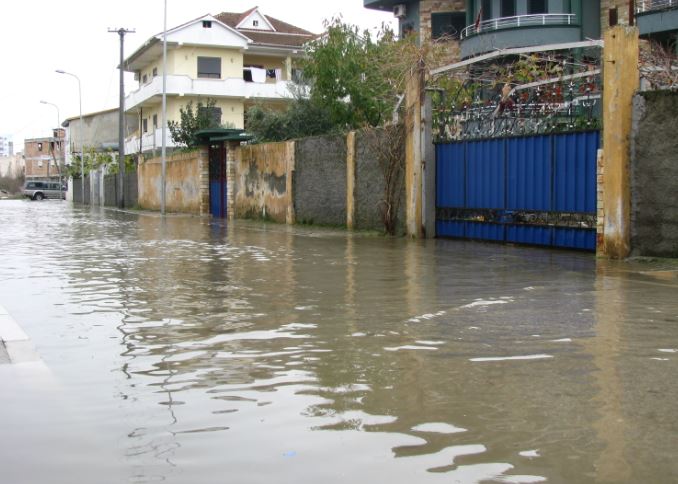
[(237, 59)]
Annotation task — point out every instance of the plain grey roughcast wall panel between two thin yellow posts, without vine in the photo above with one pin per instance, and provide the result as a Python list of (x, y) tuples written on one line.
[(319, 181)]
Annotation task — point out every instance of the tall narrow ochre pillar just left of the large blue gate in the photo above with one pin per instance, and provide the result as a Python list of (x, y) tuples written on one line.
[(413, 160)]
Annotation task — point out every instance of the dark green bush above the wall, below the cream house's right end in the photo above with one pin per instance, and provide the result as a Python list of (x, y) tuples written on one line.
[(301, 118)]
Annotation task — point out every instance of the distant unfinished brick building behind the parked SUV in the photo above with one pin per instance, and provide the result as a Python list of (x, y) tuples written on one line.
[(44, 157)]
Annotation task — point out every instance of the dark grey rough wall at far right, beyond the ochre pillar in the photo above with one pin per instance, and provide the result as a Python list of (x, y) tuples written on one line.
[(654, 175)]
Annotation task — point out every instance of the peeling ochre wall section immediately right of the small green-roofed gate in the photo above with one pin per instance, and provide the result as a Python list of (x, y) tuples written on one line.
[(261, 182)]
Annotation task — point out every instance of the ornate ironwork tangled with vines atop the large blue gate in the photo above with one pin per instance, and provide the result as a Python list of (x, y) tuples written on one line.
[(525, 95)]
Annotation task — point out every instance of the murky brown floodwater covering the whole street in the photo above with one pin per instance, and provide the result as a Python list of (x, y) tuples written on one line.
[(183, 351)]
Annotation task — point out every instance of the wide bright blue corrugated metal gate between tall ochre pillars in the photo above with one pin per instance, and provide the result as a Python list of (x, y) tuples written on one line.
[(538, 190)]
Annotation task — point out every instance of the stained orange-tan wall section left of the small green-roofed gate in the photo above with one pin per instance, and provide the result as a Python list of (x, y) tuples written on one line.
[(183, 190)]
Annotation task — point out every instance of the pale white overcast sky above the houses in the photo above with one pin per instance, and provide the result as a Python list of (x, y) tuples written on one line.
[(39, 36)]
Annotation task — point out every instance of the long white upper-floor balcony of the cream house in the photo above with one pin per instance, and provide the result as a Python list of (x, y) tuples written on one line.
[(150, 94)]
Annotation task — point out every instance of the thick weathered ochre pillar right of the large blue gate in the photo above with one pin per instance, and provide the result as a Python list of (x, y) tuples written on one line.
[(620, 82)]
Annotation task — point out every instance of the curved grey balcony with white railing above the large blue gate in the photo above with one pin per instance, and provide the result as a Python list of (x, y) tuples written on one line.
[(519, 31)]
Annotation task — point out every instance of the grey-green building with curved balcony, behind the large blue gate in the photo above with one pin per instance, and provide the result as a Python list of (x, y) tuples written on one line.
[(483, 26)]
